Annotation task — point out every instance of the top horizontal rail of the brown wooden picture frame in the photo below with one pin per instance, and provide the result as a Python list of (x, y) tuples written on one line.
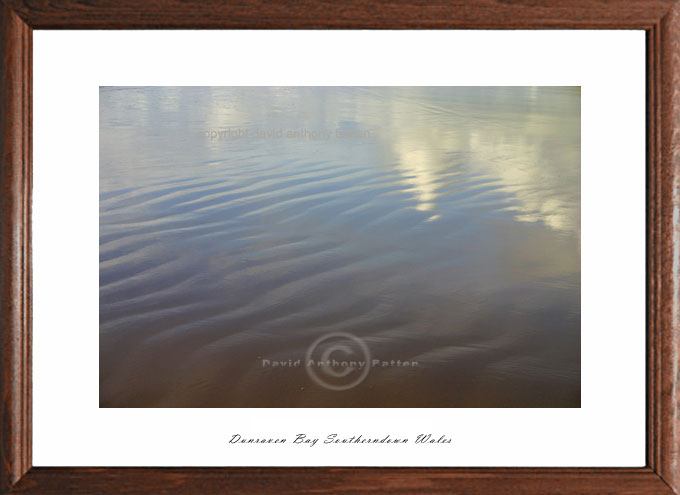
[(343, 14)]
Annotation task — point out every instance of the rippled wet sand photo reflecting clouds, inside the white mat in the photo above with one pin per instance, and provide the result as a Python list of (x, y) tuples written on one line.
[(439, 226)]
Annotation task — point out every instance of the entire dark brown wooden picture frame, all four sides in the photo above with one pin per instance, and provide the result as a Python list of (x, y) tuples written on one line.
[(661, 21)]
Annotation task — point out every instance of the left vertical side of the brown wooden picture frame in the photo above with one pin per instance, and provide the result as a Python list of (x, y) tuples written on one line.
[(15, 285)]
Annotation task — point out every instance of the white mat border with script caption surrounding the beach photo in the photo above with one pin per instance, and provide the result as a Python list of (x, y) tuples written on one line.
[(69, 66)]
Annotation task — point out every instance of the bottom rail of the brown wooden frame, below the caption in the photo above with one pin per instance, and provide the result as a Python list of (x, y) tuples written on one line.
[(346, 481)]
